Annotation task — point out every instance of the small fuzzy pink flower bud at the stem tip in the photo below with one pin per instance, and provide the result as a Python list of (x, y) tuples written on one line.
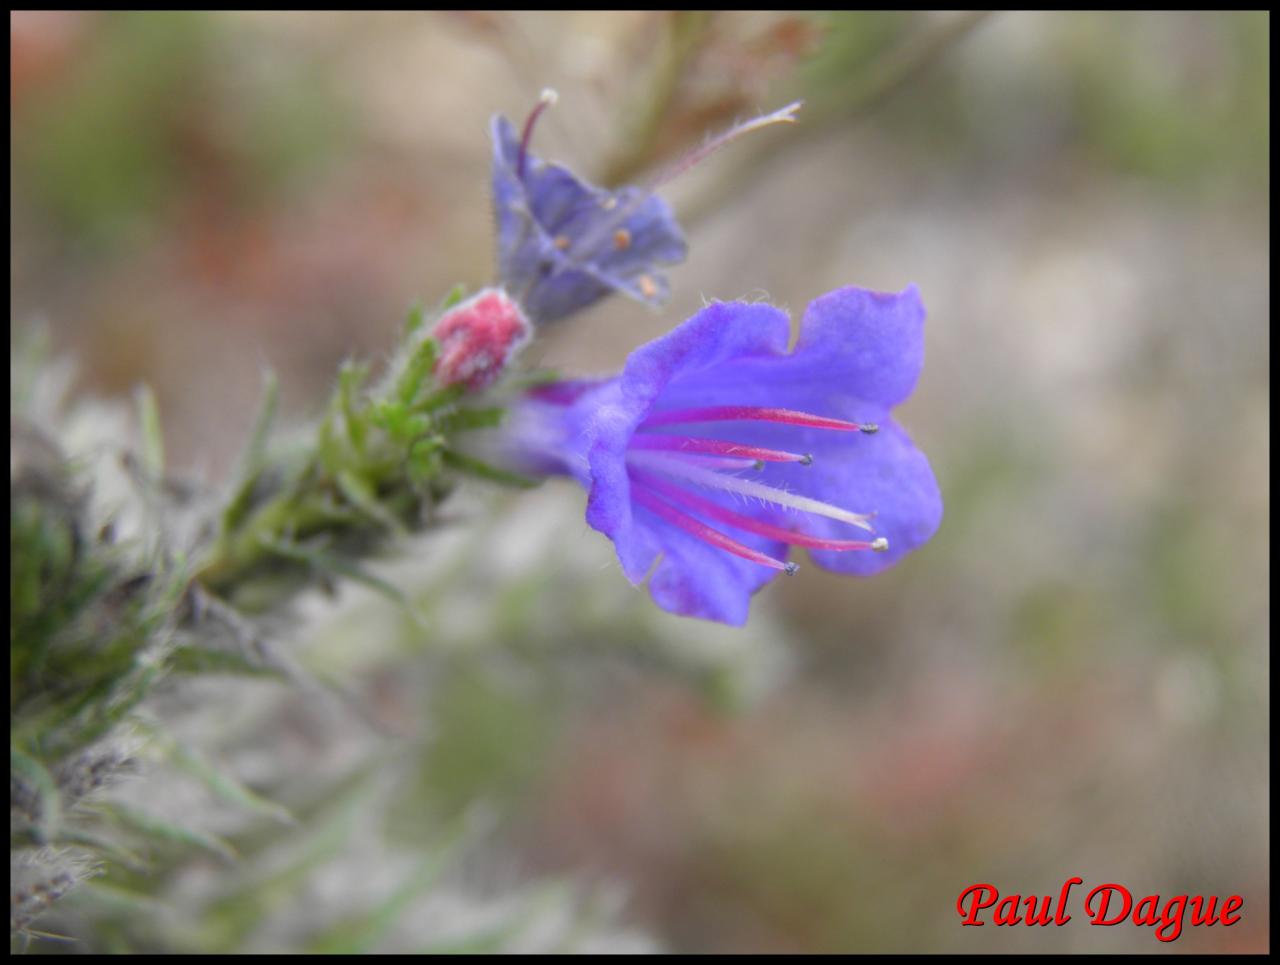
[(478, 339)]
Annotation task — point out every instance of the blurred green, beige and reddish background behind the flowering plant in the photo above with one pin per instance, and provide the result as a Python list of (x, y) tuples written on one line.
[(1071, 680)]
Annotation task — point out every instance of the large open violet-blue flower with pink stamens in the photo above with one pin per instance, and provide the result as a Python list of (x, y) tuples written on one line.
[(717, 450)]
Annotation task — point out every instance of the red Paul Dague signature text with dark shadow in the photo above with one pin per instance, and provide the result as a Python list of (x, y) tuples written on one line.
[(1104, 905)]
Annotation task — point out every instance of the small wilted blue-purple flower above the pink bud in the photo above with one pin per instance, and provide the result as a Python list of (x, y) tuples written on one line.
[(564, 244)]
